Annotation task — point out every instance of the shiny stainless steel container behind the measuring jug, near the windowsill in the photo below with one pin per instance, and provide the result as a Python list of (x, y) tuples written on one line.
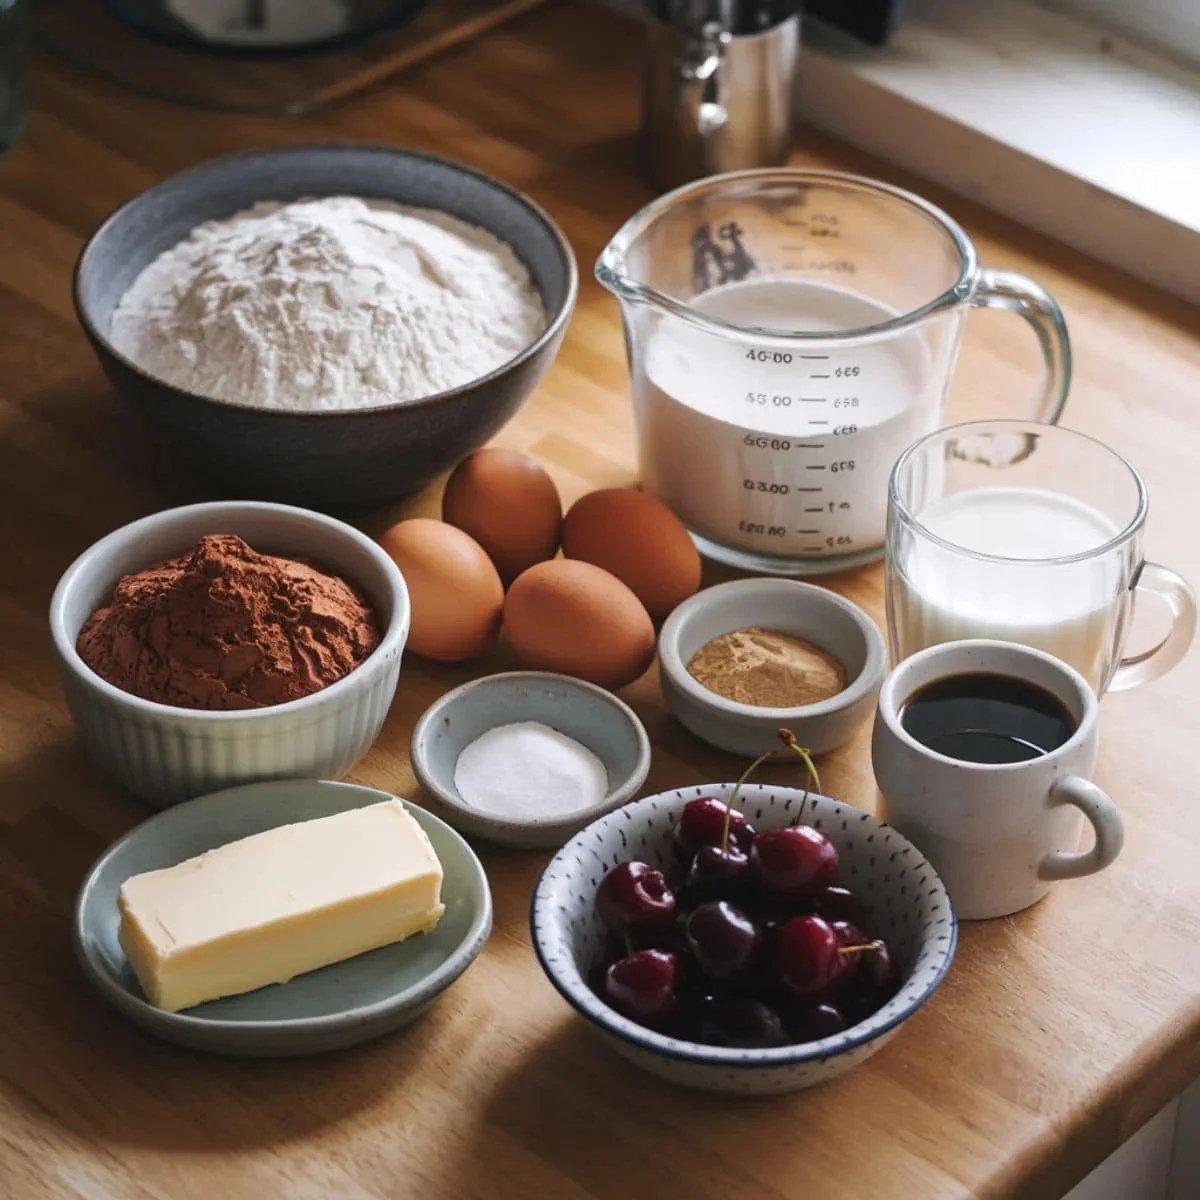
[(718, 87)]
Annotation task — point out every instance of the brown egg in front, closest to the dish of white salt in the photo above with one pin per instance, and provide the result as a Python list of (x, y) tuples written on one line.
[(579, 620)]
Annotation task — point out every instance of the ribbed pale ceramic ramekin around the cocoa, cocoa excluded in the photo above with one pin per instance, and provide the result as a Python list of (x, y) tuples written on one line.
[(165, 754)]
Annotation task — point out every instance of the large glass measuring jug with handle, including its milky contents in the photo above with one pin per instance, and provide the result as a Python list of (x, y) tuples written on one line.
[(790, 333)]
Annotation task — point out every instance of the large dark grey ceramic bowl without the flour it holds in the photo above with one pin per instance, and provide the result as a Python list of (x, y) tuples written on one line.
[(341, 458)]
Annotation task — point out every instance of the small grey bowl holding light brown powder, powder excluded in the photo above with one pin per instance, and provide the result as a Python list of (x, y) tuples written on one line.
[(803, 610)]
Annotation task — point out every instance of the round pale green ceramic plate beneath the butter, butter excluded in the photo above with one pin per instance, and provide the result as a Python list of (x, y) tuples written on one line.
[(326, 1010)]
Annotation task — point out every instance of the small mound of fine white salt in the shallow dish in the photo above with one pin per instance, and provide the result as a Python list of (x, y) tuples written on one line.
[(529, 772)]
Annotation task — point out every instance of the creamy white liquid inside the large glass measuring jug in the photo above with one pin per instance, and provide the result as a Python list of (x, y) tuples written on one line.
[(782, 452)]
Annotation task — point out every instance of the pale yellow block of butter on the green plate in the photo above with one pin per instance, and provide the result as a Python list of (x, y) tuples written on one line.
[(278, 904)]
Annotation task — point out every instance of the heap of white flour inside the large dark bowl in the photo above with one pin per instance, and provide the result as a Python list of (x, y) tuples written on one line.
[(329, 304)]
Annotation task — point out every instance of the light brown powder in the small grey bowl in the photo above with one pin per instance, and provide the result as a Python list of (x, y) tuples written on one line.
[(767, 669)]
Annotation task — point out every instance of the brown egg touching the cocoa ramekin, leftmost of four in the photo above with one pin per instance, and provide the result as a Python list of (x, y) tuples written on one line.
[(453, 587)]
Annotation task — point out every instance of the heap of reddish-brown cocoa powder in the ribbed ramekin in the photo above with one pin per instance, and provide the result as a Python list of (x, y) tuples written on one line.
[(223, 627)]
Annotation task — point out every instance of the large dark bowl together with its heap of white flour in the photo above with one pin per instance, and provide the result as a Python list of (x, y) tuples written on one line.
[(327, 325)]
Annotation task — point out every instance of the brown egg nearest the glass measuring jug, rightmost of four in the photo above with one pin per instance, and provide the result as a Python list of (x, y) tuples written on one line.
[(640, 541)]
